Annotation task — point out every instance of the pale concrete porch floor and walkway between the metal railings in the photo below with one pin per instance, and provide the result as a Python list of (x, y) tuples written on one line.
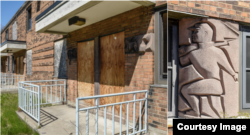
[(60, 120)]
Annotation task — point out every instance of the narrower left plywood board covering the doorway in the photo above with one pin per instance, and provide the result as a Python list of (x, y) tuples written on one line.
[(85, 62)]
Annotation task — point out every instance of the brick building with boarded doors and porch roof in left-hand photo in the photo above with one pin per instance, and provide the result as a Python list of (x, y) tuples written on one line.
[(98, 50)]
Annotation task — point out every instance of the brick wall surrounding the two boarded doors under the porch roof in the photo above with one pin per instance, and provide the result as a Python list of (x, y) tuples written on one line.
[(139, 69)]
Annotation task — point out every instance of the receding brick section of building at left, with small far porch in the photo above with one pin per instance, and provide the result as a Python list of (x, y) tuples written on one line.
[(29, 53)]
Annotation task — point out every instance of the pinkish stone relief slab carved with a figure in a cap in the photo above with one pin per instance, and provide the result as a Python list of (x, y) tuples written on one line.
[(208, 72)]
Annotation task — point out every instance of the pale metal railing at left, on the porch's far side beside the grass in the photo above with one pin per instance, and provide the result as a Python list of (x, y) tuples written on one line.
[(31, 95)]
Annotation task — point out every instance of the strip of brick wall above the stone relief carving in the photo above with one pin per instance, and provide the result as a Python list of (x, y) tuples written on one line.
[(238, 10)]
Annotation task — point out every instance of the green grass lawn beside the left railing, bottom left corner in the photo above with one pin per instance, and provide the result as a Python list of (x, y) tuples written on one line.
[(10, 124)]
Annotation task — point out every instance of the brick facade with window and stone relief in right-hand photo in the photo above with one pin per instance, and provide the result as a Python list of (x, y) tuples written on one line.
[(210, 40)]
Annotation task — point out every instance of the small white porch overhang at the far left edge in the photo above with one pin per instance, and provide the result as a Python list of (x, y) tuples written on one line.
[(10, 46)]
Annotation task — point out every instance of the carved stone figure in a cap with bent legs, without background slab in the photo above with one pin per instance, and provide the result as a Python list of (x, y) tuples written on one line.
[(208, 61)]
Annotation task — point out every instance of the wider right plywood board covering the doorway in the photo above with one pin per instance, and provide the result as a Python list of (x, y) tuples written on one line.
[(112, 69)]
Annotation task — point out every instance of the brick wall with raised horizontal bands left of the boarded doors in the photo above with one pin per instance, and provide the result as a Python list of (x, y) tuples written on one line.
[(42, 46)]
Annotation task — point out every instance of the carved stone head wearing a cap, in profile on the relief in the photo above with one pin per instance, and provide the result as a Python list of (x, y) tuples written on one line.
[(202, 33)]
